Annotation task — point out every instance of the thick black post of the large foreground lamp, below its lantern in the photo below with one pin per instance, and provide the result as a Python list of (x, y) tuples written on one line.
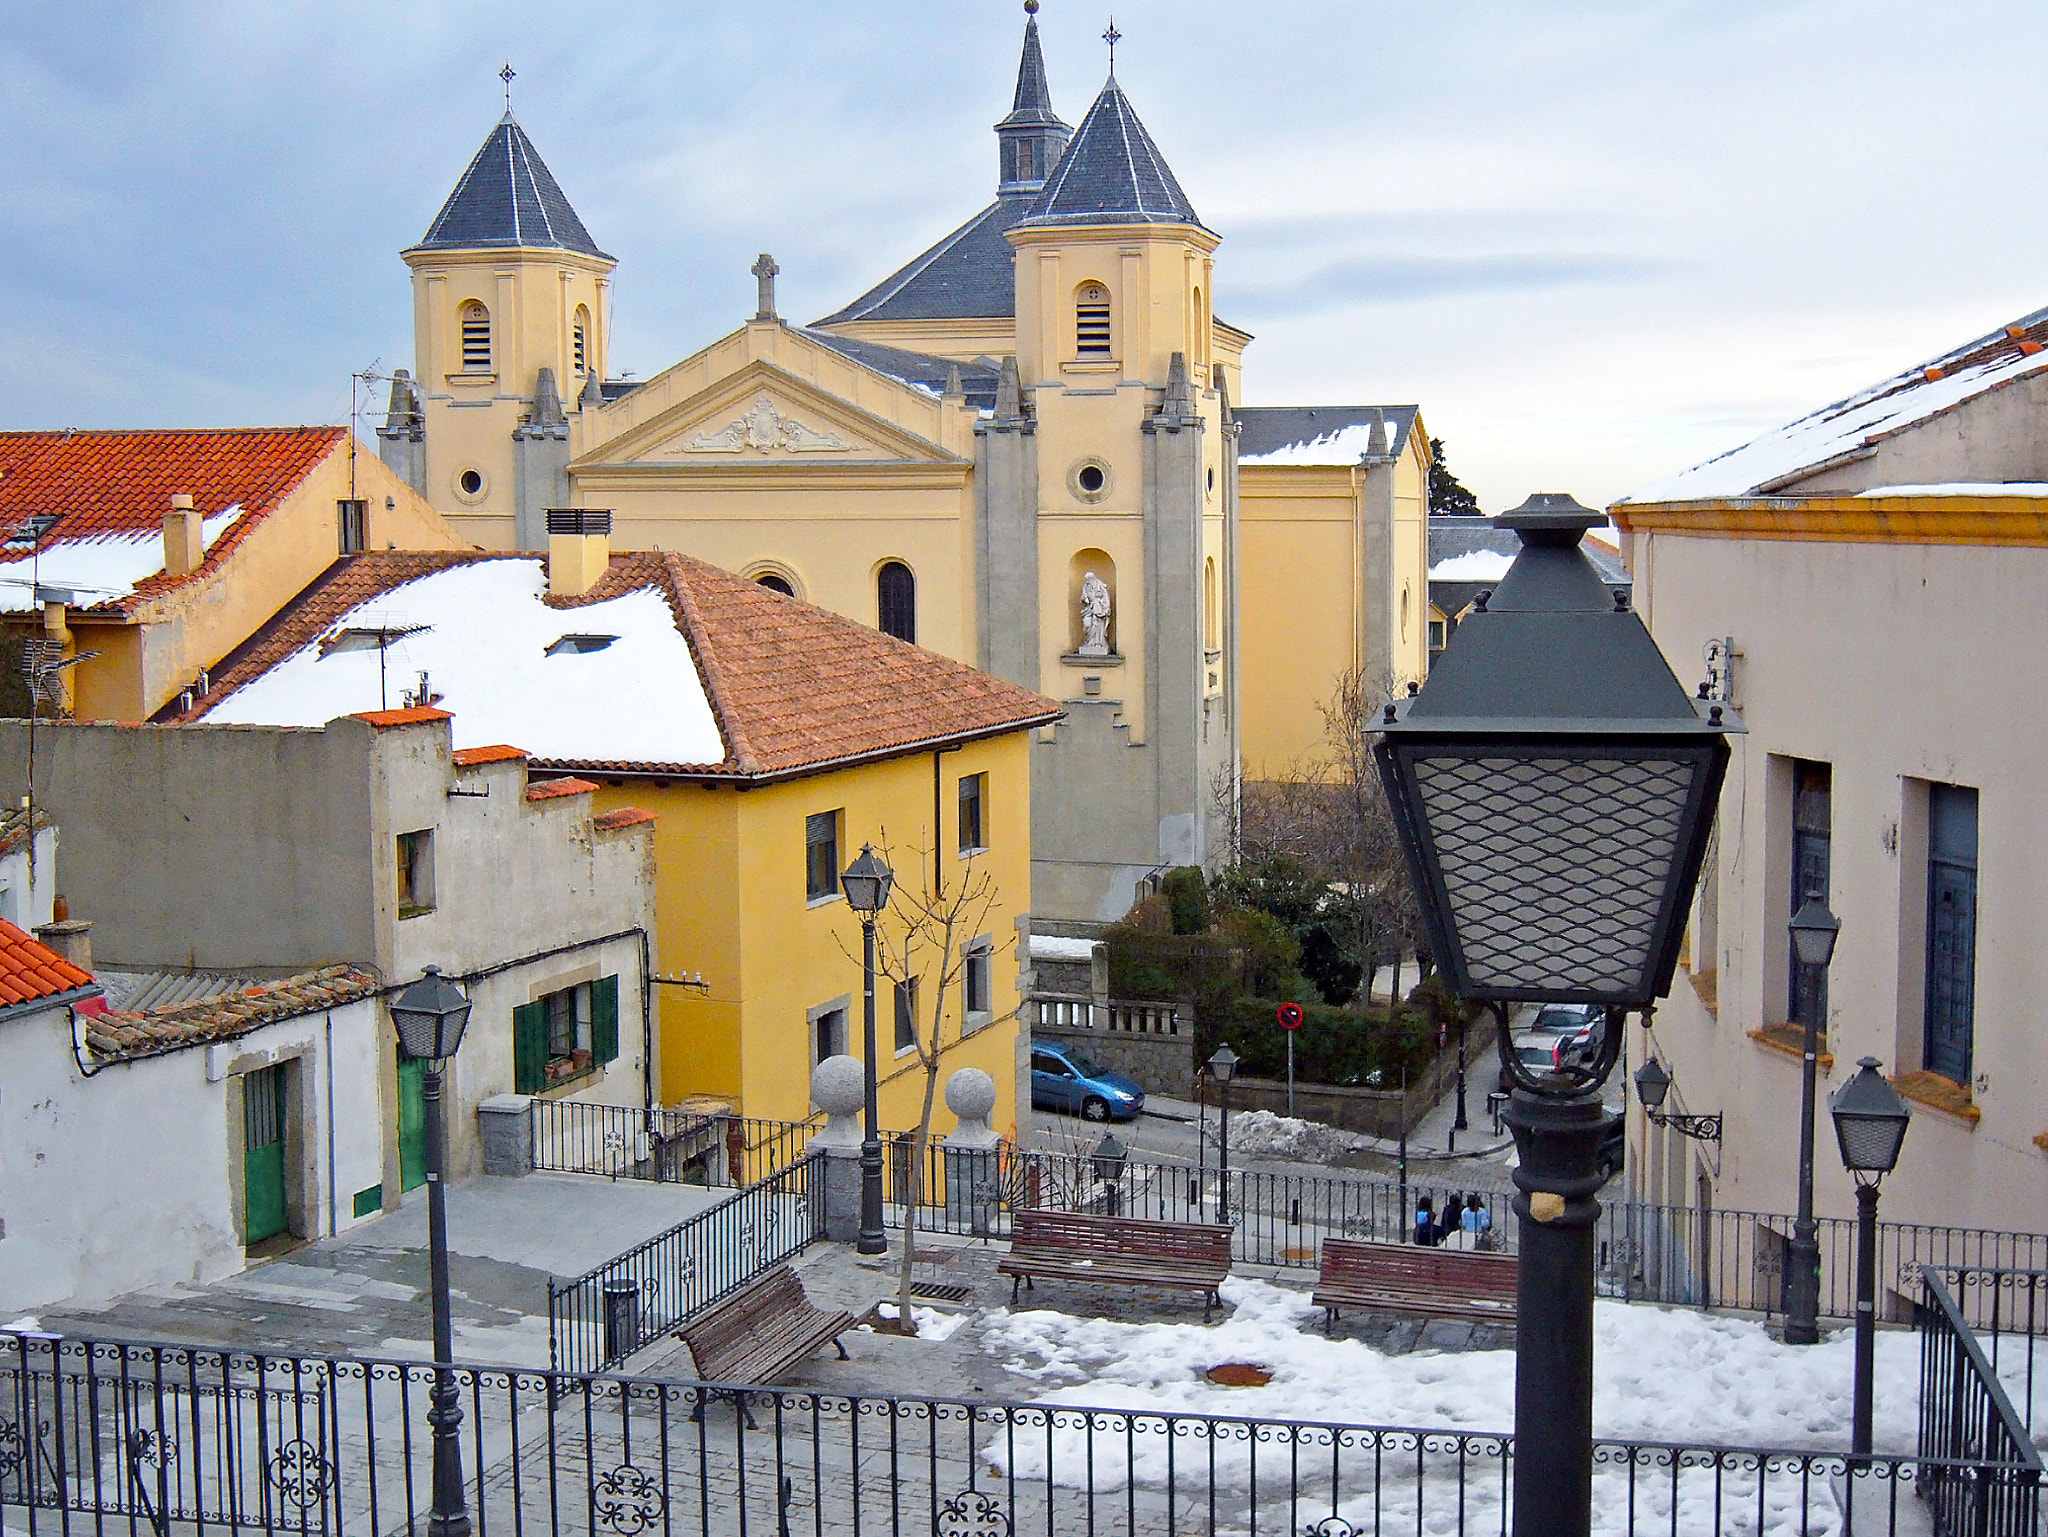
[(1560, 1147)]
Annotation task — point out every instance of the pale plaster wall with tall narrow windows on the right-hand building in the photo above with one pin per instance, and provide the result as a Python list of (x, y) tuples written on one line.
[(1897, 665)]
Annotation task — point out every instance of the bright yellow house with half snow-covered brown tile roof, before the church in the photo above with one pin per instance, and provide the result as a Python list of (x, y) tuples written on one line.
[(767, 737)]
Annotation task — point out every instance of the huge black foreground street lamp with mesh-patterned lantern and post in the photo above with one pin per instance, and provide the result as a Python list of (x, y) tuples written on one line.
[(1553, 788)]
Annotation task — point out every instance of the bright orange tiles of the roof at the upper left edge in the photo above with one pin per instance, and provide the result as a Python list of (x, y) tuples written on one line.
[(122, 483)]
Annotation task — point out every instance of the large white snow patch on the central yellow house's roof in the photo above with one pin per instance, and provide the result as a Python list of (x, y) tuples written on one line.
[(638, 700)]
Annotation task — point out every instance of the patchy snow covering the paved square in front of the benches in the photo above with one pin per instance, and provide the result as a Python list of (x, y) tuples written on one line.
[(1658, 1376)]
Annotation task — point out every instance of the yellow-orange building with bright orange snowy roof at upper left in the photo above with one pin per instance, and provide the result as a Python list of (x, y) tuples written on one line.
[(157, 554)]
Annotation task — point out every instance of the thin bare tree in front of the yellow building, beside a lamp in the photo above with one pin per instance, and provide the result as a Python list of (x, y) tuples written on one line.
[(923, 950)]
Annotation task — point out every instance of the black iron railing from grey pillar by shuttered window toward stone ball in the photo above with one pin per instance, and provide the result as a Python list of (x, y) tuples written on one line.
[(675, 1147)]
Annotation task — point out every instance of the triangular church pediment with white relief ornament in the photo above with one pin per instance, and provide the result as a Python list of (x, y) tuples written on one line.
[(765, 417)]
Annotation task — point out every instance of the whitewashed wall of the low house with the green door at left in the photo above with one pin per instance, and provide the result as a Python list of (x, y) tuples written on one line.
[(132, 1177)]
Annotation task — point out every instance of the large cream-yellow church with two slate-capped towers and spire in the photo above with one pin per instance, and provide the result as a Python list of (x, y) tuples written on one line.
[(1025, 450)]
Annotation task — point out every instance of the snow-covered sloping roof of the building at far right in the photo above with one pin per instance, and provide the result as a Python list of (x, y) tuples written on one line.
[(1863, 419)]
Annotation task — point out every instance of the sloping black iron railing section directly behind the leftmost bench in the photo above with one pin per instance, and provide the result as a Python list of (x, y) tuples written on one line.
[(603, 1317)]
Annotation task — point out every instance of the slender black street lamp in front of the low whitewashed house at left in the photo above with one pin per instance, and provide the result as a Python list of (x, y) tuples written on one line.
[(431, 1017)]
